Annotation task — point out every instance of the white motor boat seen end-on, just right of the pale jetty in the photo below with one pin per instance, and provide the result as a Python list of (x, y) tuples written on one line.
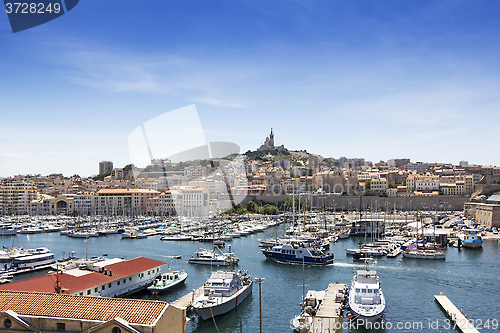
[(366, 299)]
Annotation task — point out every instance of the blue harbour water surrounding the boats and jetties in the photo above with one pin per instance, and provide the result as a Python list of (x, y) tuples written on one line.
[(471, 280)]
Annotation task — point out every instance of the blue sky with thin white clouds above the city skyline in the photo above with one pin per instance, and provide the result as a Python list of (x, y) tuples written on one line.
[(372, 79)]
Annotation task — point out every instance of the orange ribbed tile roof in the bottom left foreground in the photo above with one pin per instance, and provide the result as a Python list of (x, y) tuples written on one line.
[(81, 307)]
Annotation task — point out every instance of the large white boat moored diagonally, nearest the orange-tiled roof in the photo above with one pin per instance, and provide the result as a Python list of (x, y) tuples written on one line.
[(223, 291)]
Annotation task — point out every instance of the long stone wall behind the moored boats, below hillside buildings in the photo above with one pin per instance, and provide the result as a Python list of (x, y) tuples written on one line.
[(331, 201)]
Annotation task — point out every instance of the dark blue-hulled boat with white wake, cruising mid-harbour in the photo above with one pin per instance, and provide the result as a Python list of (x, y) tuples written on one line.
[(298, 254)]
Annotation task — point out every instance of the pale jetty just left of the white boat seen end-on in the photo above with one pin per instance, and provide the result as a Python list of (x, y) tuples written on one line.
[(329, 317)]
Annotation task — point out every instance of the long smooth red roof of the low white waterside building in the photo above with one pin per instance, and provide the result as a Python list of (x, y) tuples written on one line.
[(74, 284)]
